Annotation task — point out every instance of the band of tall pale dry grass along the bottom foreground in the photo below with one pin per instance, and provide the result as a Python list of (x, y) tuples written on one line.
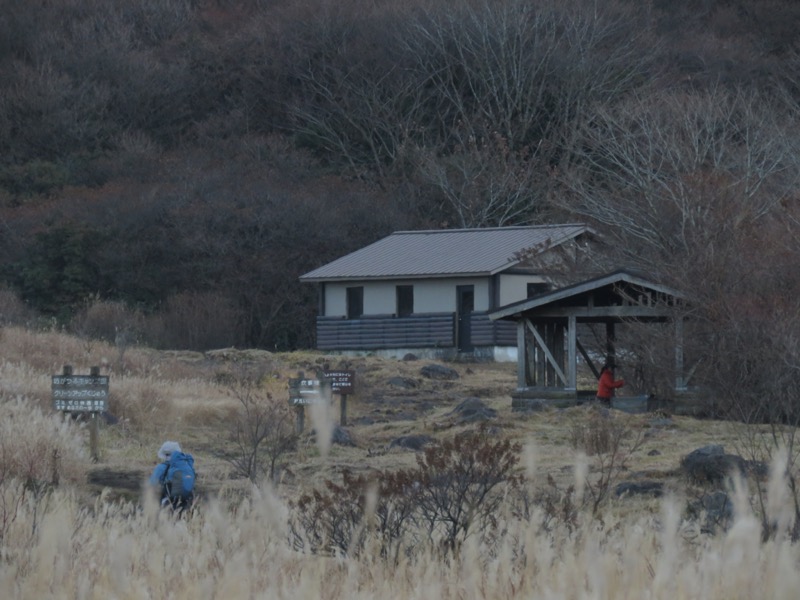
[(121, 551)]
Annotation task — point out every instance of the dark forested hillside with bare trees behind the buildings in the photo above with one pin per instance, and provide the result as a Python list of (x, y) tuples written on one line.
[(169, 167)]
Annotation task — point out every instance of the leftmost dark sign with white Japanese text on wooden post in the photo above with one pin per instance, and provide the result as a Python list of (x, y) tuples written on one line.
[(82, 393)]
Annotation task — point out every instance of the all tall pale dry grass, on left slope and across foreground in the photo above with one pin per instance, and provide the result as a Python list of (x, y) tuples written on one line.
[(54, 543)]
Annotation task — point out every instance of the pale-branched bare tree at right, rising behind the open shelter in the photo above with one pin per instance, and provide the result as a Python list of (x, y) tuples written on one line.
[(698, 188)]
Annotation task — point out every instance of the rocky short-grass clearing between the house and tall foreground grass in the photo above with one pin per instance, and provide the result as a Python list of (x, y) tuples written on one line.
[(394, 399)]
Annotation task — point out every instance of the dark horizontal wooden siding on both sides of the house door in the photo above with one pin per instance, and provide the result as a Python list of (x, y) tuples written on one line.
[(418, 331)]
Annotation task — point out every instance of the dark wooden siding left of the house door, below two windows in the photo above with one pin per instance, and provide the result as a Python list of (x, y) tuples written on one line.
[(381, 332)]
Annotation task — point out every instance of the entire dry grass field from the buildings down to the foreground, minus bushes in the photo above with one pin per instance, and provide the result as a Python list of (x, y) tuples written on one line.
[(74, 528)]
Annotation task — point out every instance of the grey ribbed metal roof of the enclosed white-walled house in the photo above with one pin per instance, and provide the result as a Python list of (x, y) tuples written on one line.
[(444, 252)]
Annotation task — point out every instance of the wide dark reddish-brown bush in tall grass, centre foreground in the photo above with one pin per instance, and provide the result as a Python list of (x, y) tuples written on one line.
[(456, 490)]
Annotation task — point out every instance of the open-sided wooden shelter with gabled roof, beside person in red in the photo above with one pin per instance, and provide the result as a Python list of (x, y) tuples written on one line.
[(548, 343)]
